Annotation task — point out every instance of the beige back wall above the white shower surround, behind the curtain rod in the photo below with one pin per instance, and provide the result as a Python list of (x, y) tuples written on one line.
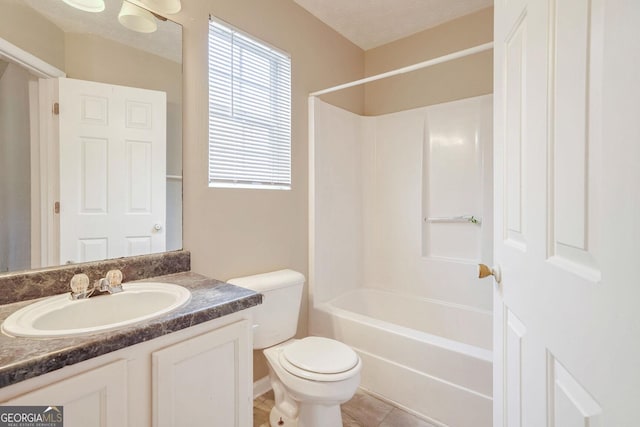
[(462, 78)]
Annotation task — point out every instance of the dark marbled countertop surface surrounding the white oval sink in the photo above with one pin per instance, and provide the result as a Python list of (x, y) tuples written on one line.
[(24, 358)]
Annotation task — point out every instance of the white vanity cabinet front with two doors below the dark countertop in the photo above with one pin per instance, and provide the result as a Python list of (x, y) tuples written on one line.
[(201, 375)]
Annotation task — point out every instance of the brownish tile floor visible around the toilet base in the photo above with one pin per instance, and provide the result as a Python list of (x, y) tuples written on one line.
[(363, 410)]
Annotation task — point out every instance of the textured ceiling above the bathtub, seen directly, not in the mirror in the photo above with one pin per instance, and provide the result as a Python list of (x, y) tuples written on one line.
[(372, 23)]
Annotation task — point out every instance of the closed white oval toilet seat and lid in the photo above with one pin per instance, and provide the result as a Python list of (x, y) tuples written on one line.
[(319, 359)]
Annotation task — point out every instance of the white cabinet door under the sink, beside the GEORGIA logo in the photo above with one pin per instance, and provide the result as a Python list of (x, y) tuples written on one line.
[(96, 398)]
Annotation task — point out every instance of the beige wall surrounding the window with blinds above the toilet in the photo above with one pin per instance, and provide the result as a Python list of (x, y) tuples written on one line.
[(235, 232)]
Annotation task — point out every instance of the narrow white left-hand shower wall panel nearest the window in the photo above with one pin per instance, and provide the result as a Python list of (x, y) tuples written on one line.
[(336, 202)]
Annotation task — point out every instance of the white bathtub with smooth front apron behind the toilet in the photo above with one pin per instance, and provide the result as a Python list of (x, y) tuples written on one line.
[(428, 357)]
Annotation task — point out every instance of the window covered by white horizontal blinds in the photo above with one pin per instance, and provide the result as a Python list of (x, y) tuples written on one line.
[(249, 111)]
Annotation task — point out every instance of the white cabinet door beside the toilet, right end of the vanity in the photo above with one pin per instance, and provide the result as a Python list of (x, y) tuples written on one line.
[(205, 380)]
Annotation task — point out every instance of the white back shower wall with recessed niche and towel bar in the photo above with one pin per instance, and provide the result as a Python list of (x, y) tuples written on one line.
[(431, 163)]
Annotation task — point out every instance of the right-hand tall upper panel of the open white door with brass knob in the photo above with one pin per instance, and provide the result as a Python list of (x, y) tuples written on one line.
[(575, 79)]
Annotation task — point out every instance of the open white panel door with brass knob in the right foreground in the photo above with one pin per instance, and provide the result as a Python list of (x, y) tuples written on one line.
[(567, 203)]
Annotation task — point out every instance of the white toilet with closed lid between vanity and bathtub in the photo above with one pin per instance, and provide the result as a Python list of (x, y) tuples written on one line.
[(311, 376)]
